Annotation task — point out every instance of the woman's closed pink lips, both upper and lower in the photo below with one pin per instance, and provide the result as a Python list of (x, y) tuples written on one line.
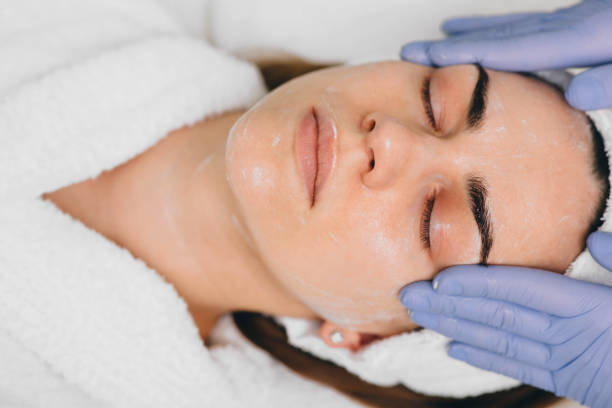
[(314, 147)]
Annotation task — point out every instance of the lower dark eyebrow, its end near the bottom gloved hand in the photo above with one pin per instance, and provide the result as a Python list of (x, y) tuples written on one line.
[(478, 195)]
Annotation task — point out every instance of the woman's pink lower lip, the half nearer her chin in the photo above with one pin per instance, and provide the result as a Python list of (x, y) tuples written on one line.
[(306, 151)]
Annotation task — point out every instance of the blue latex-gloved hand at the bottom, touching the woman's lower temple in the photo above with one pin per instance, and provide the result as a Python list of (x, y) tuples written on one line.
[(542, 328)]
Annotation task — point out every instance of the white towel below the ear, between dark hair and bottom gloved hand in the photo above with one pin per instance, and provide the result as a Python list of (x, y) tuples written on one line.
[(417, 360)]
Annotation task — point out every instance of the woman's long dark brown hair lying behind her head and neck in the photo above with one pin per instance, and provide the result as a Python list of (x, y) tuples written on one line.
[(267, 334)]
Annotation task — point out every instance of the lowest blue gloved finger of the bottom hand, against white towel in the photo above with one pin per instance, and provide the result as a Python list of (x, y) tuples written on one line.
[(487, 360)]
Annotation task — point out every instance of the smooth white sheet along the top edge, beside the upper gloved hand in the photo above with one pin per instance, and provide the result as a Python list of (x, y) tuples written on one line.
[(337, 31)]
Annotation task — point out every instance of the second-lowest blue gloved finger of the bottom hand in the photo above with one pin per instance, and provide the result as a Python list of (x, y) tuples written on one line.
[(486, 338)]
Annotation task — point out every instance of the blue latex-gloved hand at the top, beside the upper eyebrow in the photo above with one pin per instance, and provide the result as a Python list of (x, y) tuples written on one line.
[(578, 36)]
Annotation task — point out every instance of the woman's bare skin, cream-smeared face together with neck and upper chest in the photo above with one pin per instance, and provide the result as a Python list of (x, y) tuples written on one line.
[(315, 204)]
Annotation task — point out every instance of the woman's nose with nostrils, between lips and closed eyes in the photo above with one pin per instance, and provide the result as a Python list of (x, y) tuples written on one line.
[(395, 150)]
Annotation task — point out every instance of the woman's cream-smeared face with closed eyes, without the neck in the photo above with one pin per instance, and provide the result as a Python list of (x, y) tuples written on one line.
[(391, 198)]
